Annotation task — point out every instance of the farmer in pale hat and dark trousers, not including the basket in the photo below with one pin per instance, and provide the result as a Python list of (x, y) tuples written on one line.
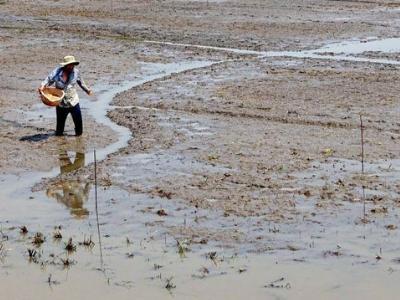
[(65, 77)]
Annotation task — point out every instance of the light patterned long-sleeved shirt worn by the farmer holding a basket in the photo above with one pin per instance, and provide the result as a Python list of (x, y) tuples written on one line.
[(71, 96)]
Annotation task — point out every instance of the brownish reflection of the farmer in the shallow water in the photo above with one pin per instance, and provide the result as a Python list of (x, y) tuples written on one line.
[(72, 193)]
